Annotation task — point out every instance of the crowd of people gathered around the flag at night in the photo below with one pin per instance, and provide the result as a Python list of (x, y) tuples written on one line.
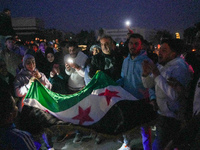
[(168, 81)]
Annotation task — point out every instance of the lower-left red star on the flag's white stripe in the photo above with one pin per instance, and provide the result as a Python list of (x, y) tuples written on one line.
[(83, 115)]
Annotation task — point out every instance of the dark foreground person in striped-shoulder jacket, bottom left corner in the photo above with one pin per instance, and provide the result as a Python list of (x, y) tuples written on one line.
[(10, 137)]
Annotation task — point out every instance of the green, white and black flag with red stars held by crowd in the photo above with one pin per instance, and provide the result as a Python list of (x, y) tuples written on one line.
[(102, 105)]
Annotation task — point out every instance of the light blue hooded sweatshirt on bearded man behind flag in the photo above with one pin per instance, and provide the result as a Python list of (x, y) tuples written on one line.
[(131, 76)]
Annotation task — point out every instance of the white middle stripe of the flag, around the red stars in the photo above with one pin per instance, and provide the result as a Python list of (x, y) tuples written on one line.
[(98, 105)]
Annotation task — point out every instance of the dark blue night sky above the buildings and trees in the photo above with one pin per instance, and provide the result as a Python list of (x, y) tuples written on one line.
[(74, 15)]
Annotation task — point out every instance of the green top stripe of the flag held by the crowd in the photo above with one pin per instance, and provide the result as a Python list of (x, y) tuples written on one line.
[(57, 102)]
